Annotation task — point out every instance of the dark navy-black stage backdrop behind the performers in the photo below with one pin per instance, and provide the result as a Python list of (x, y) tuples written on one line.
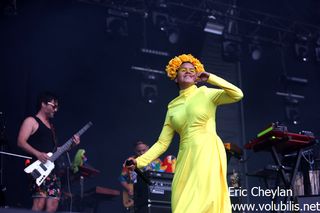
[(63, 46)]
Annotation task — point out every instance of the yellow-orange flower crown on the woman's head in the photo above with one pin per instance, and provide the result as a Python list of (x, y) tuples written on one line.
[(176, 62)]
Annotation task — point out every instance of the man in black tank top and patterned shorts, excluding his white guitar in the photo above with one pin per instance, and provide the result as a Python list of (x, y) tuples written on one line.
[(37, 137)]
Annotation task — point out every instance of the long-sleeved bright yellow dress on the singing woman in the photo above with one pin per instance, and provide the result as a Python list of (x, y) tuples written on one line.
[(200, 183)]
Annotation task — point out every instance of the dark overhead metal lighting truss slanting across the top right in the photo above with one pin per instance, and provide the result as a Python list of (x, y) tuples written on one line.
[(250, 23)]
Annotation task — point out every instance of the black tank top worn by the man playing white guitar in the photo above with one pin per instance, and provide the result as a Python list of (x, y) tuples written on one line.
[(43, 139)]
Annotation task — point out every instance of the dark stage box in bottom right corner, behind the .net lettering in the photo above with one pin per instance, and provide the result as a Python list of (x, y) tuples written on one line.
[(309, 204)]
